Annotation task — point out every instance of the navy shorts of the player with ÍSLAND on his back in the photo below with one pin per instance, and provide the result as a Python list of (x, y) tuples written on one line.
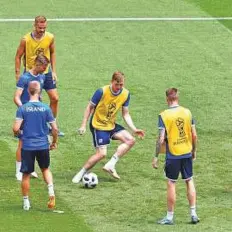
[(28, 160)]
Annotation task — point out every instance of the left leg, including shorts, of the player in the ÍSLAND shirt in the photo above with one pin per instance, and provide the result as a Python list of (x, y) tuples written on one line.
[(27, 167)]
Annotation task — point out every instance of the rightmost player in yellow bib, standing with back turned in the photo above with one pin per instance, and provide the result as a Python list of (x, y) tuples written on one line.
[(177, 130)]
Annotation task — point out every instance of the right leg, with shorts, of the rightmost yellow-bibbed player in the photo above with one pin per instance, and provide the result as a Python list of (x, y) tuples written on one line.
[(187, 175)]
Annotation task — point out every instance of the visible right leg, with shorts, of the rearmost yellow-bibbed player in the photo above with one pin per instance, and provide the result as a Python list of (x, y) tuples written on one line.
[(50, 87)]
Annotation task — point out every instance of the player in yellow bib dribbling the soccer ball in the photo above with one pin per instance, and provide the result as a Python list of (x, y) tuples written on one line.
[(104, 105)]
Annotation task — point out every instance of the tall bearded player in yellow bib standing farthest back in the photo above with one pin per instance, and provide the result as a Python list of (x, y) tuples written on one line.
[(39, 41)]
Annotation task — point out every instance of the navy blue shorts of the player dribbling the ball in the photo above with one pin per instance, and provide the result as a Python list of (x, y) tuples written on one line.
[(102, 137)]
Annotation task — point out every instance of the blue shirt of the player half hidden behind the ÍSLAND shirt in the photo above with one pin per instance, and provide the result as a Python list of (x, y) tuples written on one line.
[(24, 81)]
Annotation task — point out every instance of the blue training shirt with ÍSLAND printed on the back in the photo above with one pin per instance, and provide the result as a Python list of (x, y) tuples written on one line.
[(35, 116)]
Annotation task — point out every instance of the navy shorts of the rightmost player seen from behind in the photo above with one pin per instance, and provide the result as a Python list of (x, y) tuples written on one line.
[(175, 166)]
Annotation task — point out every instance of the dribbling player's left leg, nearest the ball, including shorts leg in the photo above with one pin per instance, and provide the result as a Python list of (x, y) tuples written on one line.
[(100, 140)]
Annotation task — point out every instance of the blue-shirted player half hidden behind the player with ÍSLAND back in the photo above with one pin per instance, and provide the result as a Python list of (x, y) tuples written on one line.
[(22, 96)]
